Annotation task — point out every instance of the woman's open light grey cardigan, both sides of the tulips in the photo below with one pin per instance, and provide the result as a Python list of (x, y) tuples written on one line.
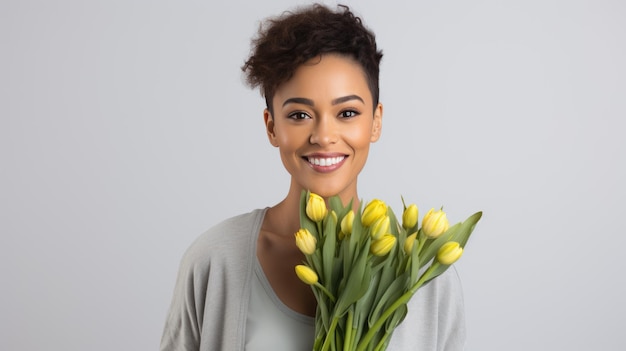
[(210, 302)]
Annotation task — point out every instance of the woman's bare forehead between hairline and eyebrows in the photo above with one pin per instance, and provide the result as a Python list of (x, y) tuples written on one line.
[(325, 78)]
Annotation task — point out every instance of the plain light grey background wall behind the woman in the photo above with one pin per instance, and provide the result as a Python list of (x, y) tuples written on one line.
[(126, 131)]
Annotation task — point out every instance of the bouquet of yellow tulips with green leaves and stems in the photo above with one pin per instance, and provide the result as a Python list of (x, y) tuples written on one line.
[(364, 267)]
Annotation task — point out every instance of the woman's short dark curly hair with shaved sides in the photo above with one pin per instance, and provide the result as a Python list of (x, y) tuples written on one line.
[(286, 42)]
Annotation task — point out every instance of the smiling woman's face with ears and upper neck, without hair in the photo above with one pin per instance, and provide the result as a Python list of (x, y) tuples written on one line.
[(323, 123)]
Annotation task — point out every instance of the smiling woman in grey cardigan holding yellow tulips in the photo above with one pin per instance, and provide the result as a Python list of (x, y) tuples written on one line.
[(236, 289)]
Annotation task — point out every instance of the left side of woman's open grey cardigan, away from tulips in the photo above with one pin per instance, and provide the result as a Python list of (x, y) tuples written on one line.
[(211, 284)]
